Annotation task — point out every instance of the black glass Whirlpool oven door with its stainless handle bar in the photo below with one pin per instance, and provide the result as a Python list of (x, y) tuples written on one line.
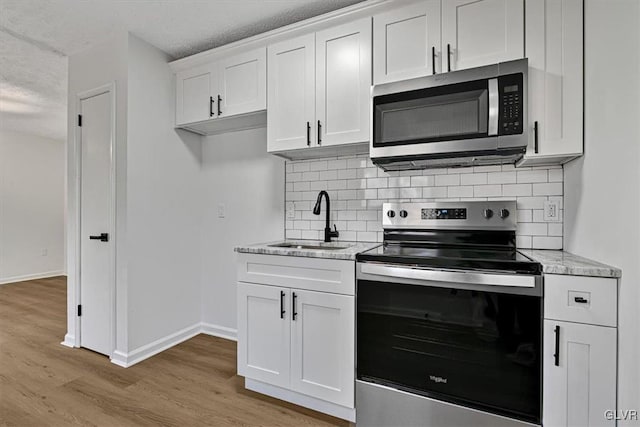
[(465, 338)]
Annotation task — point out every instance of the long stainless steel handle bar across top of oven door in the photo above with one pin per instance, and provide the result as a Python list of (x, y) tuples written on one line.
[(472, 278)]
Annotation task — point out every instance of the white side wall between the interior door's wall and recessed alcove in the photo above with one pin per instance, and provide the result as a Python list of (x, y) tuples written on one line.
[(164, 219)]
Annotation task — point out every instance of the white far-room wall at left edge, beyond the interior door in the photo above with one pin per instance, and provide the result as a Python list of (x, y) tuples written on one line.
[(32, 197)]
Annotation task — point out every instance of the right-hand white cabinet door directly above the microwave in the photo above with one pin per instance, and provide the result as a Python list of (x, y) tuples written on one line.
[(481, 32)]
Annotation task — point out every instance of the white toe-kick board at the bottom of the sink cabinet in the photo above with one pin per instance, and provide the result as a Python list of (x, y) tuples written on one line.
[(299, 399)]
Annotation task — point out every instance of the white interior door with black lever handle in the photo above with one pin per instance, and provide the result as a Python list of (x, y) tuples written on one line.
[(95, 218)]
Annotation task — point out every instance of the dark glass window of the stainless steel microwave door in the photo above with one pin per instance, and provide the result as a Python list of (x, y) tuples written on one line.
[(457, 111)]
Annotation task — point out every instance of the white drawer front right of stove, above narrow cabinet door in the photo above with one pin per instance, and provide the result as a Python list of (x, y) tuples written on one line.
[(591, 300)]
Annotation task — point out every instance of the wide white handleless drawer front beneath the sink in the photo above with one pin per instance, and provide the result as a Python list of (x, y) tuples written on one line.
[(314, 274)]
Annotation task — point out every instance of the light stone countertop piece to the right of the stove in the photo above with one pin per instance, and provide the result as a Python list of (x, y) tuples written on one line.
[(561, 262)]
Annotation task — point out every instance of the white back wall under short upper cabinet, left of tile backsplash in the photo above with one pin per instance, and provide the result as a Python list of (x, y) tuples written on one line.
[(238, 173)]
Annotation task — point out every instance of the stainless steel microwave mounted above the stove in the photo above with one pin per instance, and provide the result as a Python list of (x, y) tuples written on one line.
[(461, 118)]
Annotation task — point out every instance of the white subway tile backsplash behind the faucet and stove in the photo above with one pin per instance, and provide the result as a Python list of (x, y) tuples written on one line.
[(358, 189)]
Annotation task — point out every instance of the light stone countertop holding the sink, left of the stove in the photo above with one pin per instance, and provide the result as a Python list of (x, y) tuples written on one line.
[(349, 253)]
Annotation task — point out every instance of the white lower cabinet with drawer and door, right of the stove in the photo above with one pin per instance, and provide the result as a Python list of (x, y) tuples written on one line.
[(580, 351)]
